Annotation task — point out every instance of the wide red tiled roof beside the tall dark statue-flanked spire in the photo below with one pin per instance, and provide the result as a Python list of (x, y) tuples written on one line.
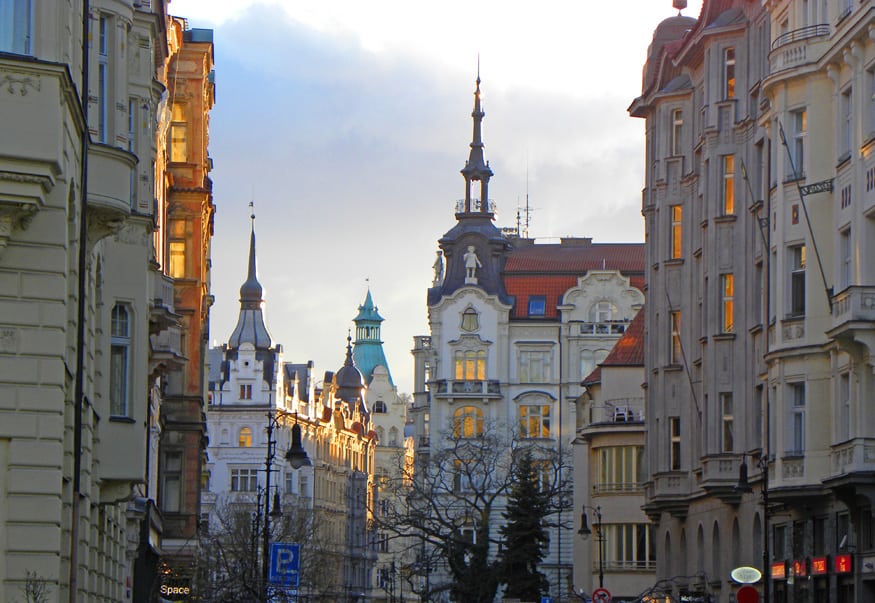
[(551, 270)]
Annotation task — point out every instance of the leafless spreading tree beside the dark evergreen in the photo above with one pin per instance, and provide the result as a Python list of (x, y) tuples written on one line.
[(450, 503)]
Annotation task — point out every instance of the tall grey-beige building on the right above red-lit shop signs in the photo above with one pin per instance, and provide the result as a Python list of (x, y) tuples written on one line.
[(759, 222)]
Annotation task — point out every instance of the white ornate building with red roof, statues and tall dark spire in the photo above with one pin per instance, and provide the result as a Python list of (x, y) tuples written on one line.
[(515, 326)]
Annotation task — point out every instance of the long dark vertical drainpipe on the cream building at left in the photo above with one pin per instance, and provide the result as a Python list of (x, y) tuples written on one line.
[(79, 388)]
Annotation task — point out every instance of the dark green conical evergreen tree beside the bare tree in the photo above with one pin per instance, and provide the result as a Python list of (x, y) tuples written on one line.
[(525, 533)]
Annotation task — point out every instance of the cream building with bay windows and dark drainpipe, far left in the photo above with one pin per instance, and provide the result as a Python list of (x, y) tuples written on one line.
[(84, 289)]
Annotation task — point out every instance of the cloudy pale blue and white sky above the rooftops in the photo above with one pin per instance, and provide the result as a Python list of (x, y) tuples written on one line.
[(346, 124)]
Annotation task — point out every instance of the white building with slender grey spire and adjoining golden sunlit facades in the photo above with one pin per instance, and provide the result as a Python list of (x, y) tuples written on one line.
[(257, 400)]
